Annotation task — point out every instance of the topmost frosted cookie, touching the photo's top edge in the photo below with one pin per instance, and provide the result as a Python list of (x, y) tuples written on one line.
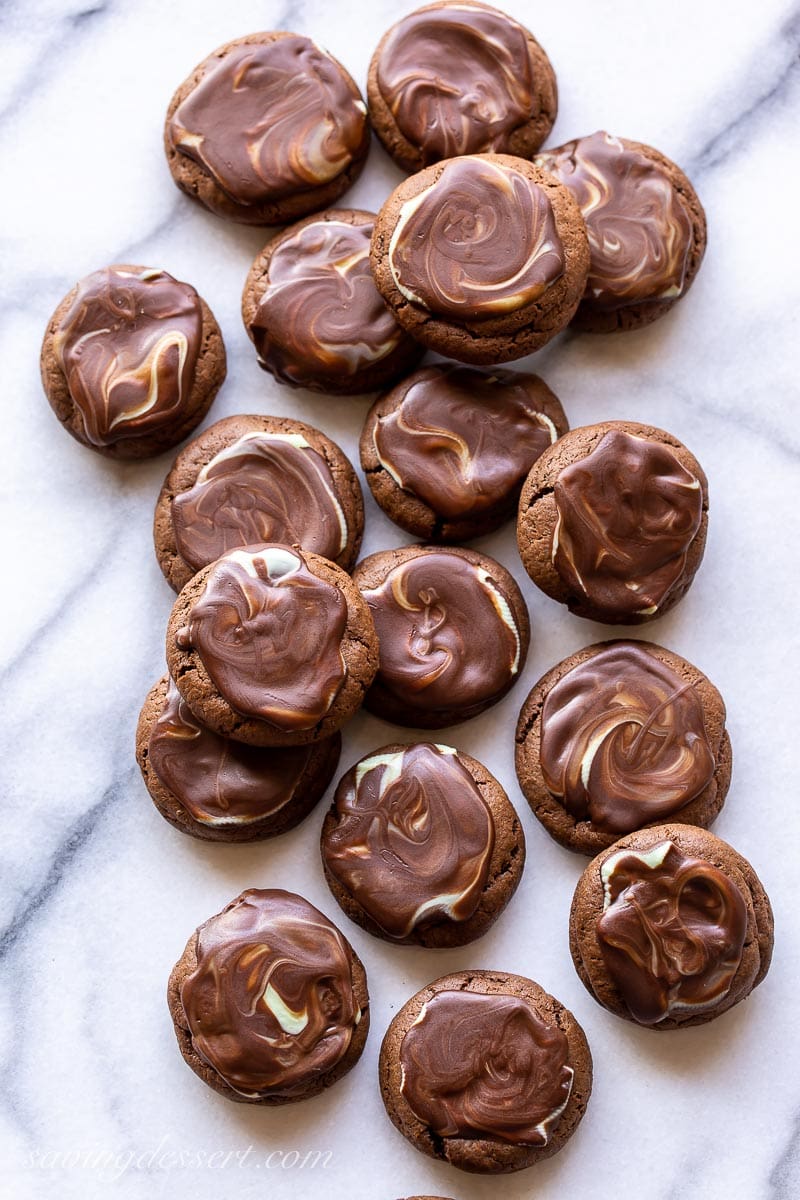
[(460, 79)]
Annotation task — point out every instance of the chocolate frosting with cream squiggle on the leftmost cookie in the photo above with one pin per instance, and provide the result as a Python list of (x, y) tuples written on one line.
[(129, 347)]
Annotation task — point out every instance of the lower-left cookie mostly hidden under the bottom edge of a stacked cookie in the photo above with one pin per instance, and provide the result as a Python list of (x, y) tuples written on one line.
[(219, 790)]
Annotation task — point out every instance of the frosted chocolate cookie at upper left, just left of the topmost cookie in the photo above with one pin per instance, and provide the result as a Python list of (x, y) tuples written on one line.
[(267, 130)]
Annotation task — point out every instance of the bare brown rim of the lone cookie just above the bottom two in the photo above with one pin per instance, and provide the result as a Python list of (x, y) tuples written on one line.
[(506, 871)]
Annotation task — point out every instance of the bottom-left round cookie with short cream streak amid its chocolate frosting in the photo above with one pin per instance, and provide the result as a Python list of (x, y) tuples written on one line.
[(269, 1000)]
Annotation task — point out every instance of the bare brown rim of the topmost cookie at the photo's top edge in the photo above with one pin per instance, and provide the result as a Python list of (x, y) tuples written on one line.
[(524, 141)]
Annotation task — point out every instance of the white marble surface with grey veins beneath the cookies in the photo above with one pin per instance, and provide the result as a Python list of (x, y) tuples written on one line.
[(99, 895)]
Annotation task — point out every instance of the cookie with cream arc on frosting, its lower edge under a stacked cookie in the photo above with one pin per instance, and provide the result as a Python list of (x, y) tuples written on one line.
[(256, 479)]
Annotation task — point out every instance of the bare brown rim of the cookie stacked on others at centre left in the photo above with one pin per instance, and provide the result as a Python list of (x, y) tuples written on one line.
[(359, 650)]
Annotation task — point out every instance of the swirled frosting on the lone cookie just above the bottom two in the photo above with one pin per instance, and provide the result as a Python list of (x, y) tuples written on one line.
[(413, 838)]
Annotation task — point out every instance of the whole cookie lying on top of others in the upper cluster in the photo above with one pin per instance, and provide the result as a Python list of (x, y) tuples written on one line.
[(482, 259)]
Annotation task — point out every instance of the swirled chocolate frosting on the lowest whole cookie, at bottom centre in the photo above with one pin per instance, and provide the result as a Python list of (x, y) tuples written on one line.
[(486, 1067)]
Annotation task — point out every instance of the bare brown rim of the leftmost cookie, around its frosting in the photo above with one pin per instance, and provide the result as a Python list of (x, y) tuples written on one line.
[(209, 376)]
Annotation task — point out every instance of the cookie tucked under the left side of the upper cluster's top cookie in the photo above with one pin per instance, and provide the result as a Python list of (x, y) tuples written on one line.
[(312, 310)]
